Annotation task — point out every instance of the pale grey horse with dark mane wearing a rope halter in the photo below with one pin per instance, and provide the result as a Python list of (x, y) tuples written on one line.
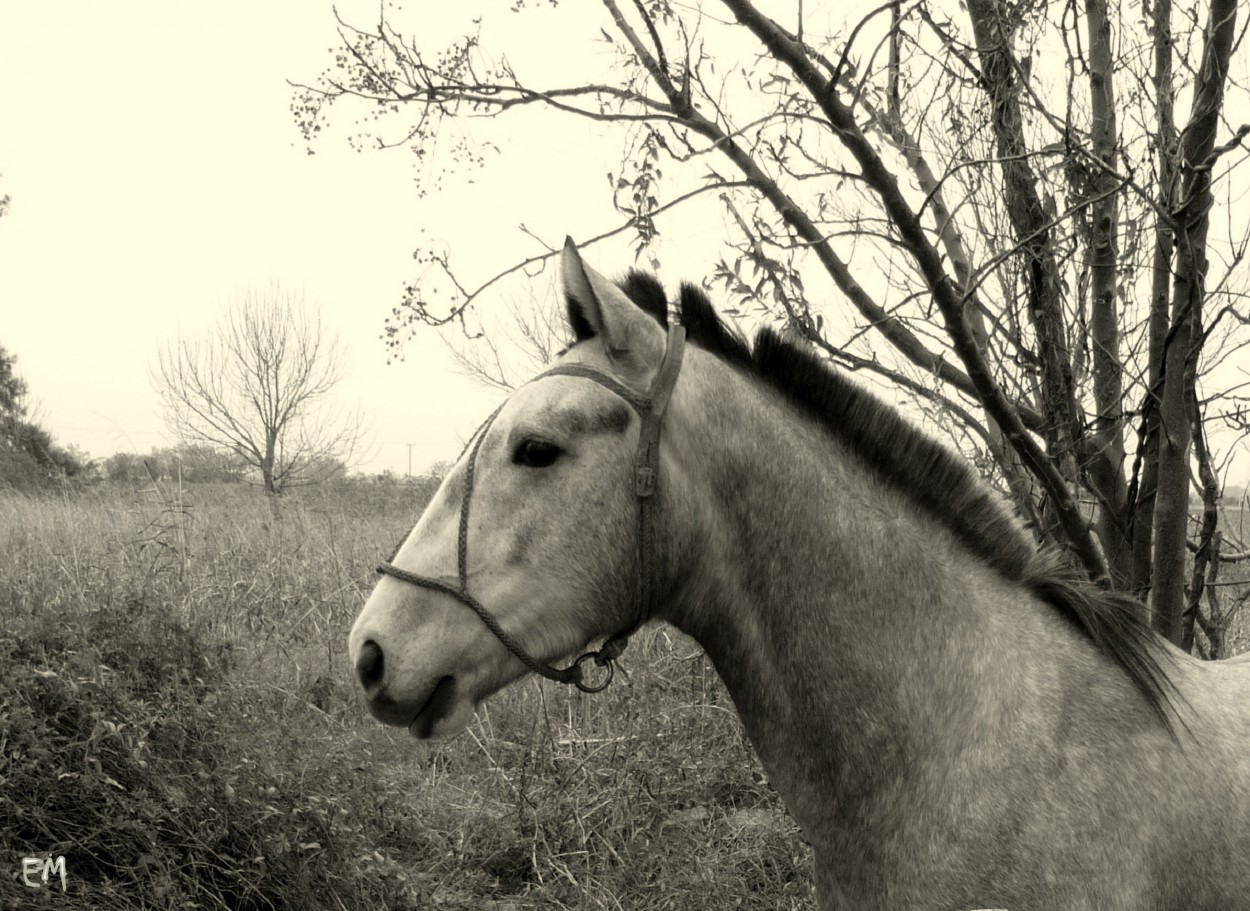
[(953, 719)]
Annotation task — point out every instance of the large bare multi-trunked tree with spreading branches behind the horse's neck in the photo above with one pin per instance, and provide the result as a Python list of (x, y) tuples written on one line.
[(1029, 211)]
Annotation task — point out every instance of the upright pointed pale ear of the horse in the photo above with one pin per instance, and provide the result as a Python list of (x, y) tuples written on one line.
[(598, 308)]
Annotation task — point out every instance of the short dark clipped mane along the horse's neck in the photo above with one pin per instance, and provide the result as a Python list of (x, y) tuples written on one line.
[(938, 480)]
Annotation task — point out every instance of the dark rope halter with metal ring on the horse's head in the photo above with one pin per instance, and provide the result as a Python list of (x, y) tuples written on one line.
[(647, 473)]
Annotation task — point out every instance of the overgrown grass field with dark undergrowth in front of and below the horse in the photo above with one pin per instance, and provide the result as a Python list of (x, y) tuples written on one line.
[(179, 723)]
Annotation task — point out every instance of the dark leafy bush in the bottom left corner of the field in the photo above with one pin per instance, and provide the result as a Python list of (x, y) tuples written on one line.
[(129, 750)]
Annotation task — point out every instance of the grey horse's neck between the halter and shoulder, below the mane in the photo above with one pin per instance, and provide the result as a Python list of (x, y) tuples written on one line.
[(851, 629)]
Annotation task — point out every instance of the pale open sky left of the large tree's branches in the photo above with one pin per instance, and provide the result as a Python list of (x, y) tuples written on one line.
[(156, 174)]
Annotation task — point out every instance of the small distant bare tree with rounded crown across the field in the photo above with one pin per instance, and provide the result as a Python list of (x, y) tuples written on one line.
[(259, 387)]
